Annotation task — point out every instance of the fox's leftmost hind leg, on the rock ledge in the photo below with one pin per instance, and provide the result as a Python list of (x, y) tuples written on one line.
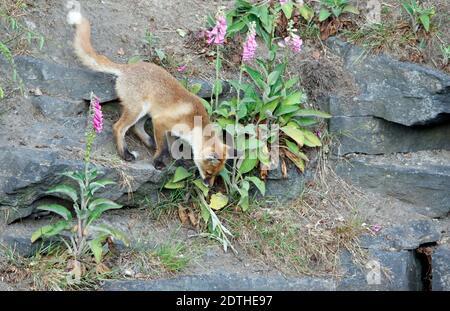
[(127, 119)]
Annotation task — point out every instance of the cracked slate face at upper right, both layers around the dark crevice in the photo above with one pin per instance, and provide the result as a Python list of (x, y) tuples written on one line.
[(400, 107)]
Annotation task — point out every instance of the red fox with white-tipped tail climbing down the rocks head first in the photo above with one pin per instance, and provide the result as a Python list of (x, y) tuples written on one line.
[(146, 89)]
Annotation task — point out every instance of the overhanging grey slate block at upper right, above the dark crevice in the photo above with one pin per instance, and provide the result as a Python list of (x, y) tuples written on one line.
[(399, 92)]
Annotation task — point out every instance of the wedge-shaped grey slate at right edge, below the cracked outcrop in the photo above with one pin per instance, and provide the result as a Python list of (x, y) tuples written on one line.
[(423, 182)]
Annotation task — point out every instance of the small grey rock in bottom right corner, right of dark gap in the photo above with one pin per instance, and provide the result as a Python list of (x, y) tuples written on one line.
[(441, 268)]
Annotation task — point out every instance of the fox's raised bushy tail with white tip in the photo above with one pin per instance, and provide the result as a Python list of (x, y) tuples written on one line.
[(83, 46)]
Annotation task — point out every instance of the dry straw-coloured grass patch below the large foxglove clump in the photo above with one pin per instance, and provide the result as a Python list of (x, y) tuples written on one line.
[(306, 236)]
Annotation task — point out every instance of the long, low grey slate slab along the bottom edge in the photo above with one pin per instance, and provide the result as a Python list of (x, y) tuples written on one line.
[(223, 282)]
